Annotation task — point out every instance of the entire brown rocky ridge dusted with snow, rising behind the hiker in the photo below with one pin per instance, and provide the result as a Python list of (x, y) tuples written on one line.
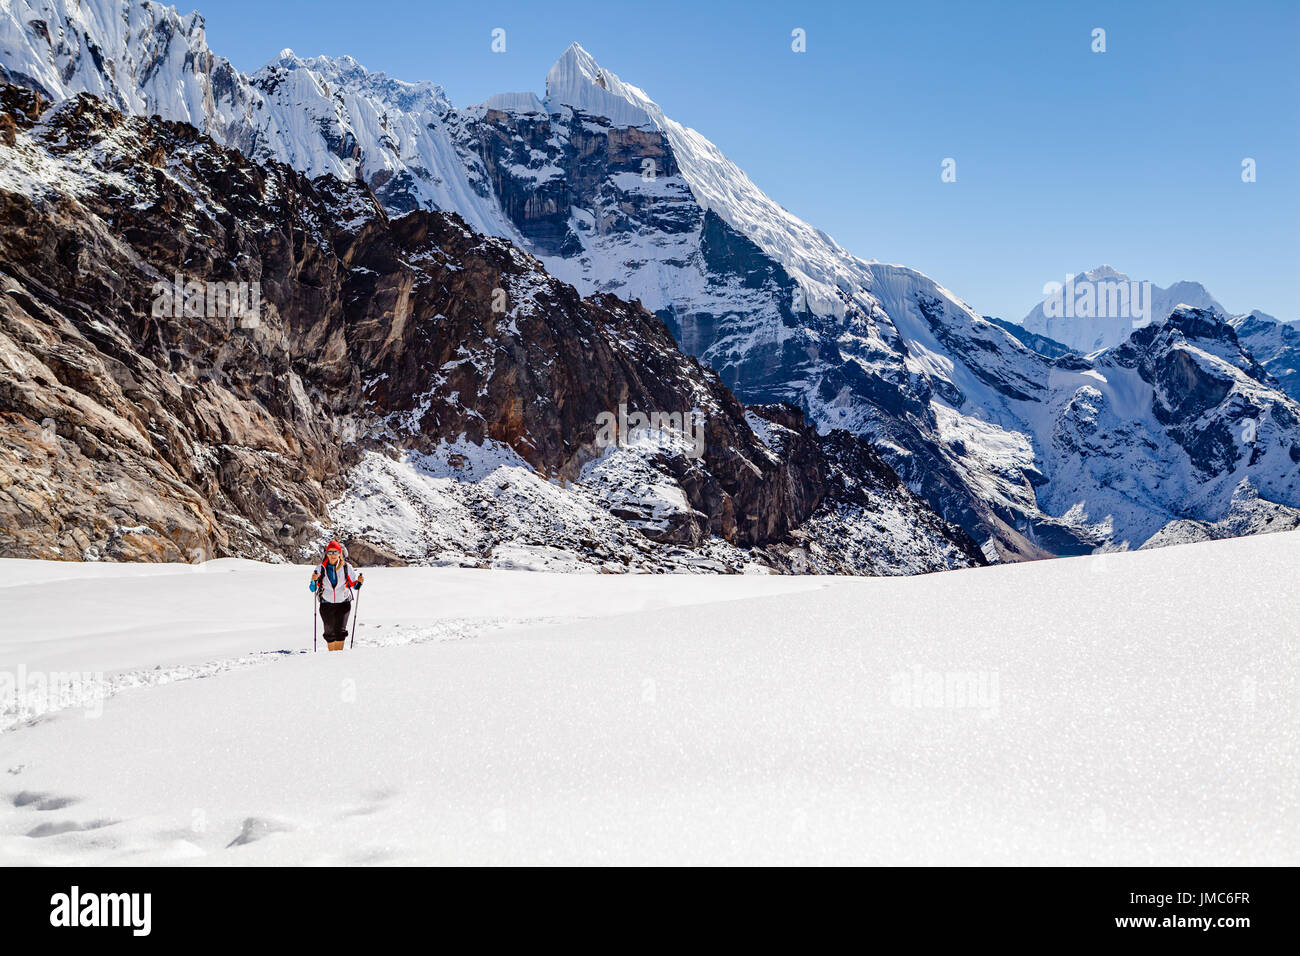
[(149, 425)]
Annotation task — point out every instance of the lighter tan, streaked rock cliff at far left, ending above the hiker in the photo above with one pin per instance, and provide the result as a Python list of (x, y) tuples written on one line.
[(135, 436)]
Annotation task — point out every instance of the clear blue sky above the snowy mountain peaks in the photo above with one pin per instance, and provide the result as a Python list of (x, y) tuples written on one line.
[(1067, 159)]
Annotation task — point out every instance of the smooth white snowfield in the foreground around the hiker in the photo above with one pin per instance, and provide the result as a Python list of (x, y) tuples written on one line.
[(500, 717)]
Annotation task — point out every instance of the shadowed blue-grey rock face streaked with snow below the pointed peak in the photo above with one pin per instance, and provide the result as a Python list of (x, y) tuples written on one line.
[(609, 210)]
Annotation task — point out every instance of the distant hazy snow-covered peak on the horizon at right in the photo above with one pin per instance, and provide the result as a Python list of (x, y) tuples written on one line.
[(1102, 308)]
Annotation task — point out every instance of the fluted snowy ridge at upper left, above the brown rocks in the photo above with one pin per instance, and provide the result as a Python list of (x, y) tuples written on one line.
[(322, 116)]
